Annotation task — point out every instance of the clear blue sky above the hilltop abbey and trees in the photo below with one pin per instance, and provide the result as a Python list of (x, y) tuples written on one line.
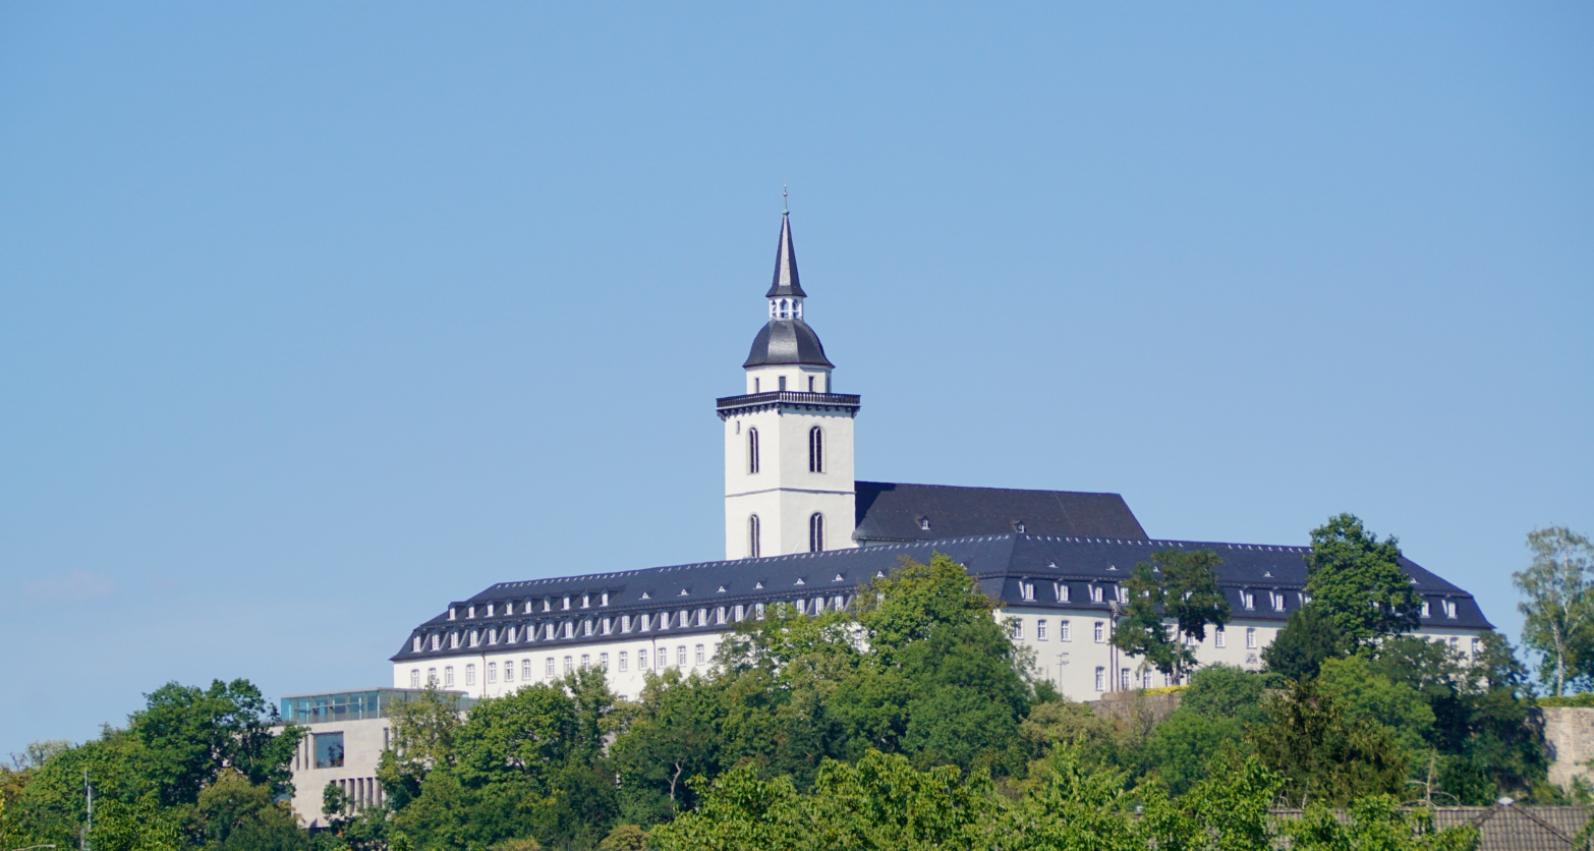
[(316, 316)]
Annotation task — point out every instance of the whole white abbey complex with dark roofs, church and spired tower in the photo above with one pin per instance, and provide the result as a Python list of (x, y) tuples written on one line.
[(803, 530)]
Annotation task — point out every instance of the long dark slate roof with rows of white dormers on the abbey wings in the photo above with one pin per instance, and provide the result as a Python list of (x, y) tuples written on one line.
[(1003, 565)]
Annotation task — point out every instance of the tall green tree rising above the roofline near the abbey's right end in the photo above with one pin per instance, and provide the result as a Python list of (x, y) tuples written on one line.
[(1359, 582)]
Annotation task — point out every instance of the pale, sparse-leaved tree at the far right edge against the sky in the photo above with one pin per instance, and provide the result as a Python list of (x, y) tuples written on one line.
[(1560, 606)]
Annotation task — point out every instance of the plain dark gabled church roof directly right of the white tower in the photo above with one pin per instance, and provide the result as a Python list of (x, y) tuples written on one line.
[(897, 512)]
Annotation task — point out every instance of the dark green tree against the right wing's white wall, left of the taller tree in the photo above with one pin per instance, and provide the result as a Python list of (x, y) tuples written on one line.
[(1179, 587)]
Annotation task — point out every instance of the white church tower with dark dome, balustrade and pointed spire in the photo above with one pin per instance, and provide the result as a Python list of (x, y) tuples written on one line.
[(788, 437)]
